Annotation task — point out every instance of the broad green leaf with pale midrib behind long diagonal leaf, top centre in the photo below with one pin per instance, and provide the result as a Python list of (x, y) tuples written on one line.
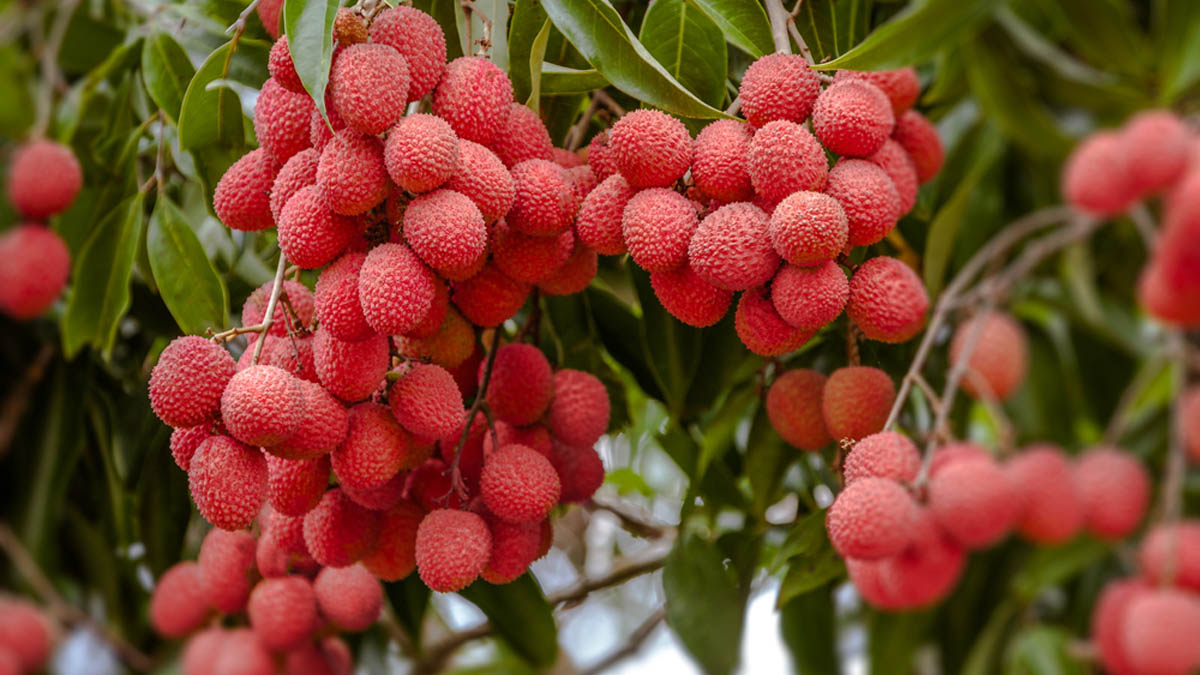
[(689, 45)]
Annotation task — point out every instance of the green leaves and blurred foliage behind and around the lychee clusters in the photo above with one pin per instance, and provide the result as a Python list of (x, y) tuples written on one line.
[(86, 479)]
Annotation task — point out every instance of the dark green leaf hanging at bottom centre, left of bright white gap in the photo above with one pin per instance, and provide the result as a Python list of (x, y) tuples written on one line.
[(705, 607)]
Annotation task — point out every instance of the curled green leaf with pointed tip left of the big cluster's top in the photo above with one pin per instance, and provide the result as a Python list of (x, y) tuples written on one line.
[(212, 112)]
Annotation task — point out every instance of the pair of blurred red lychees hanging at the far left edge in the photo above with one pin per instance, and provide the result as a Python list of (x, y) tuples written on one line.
[(44, 181)]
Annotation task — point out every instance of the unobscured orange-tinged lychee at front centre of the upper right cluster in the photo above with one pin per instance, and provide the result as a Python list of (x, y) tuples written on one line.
[(809, 229)]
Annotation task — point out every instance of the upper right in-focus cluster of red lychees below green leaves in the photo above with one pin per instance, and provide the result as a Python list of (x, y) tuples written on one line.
[(764, 213)]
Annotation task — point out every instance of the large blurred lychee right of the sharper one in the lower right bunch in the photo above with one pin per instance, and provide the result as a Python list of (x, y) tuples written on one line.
[(975, 503)]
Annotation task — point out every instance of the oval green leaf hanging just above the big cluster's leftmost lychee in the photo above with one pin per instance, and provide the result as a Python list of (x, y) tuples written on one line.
[(190, 286)]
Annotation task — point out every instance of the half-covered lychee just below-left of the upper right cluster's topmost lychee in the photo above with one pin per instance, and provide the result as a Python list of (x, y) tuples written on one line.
[(719, 166)]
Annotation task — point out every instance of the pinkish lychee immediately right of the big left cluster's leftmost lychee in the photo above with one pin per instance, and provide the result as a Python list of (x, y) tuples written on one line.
[(262, 405)]
